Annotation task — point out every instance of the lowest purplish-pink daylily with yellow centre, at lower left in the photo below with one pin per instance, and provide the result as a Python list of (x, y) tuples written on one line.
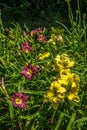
[(19, 100)]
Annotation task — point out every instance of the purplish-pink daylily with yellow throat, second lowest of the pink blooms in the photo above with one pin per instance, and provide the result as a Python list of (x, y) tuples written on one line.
[(29, 71)]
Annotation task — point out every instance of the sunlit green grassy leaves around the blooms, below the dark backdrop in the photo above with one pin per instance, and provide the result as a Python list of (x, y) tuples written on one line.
[(39, 115)]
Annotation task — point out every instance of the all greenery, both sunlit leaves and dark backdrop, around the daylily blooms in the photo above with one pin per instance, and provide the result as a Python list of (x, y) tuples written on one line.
[(18, 18)]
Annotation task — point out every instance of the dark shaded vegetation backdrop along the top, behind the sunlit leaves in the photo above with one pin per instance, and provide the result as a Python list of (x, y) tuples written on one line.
[(36, 13)]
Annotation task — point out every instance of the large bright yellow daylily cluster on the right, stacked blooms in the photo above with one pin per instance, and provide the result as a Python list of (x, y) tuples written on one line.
[(66, 86)]
